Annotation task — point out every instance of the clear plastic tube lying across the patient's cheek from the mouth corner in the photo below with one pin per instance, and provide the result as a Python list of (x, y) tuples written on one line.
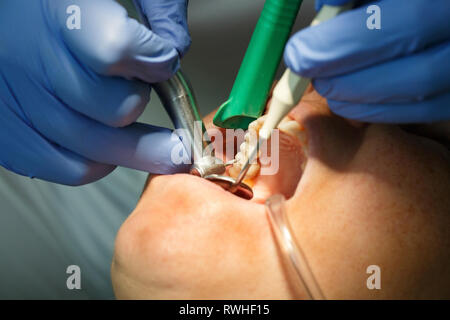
[(291, 250)]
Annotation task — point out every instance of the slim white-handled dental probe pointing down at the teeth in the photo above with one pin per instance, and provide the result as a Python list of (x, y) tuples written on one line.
[(286, 95)]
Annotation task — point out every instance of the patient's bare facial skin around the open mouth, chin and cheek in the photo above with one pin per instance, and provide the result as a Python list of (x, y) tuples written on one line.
[(368, 195)]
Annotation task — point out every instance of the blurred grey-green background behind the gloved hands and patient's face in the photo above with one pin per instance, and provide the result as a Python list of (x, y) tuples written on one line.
[(45, 227)]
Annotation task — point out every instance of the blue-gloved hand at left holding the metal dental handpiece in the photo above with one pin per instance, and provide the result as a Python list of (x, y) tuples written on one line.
[(67, 112)]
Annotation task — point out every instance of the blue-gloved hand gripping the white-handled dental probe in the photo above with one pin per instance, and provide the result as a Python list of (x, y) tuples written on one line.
[(398, 74)]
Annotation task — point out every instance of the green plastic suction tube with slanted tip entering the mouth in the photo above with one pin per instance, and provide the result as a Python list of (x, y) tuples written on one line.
[(256, 74)]
